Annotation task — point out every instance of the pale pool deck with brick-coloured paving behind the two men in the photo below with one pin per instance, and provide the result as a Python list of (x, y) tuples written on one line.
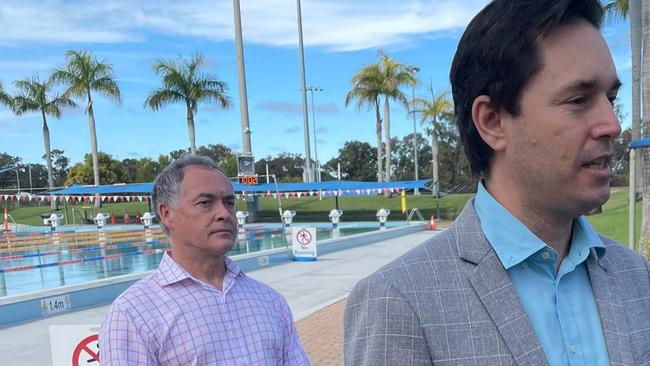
[(309, 287)]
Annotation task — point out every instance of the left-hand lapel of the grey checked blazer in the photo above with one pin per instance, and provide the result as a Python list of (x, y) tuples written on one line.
[(496, 291)]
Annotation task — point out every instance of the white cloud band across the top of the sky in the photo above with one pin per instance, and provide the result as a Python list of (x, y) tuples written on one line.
[(335, 25)]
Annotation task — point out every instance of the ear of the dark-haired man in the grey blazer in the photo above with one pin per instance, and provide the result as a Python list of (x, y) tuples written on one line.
[(489, 122)]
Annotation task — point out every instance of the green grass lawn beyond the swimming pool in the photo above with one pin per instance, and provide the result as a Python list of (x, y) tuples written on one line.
[(612, 222)]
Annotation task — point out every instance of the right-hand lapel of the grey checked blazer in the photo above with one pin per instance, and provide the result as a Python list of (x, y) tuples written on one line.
[(610, 307)]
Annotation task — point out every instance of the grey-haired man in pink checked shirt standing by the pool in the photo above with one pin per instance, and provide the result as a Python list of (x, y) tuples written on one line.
[(198, 308)]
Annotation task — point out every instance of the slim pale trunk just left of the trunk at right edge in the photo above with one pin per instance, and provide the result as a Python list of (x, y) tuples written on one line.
[(635, 9)]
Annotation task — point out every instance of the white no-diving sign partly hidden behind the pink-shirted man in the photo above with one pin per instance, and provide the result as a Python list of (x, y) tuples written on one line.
[(74, 345)]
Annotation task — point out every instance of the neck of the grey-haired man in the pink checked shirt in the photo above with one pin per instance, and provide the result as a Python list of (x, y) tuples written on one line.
[(202, 266)]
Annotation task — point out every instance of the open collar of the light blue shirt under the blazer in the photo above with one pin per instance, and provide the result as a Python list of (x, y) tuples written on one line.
[(513, 242)]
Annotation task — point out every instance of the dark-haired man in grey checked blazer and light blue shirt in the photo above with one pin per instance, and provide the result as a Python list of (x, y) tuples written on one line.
[(533, 84)]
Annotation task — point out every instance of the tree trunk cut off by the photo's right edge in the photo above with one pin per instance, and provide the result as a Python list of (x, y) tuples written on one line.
[(645, 226)]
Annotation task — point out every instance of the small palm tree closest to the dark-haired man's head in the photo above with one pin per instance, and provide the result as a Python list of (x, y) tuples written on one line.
[(432, 112)]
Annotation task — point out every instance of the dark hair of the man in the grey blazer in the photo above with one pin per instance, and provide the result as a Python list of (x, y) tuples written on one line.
[(498, 54)]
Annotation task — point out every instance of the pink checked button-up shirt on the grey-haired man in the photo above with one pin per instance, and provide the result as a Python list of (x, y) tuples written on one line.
[(170, 318)]
